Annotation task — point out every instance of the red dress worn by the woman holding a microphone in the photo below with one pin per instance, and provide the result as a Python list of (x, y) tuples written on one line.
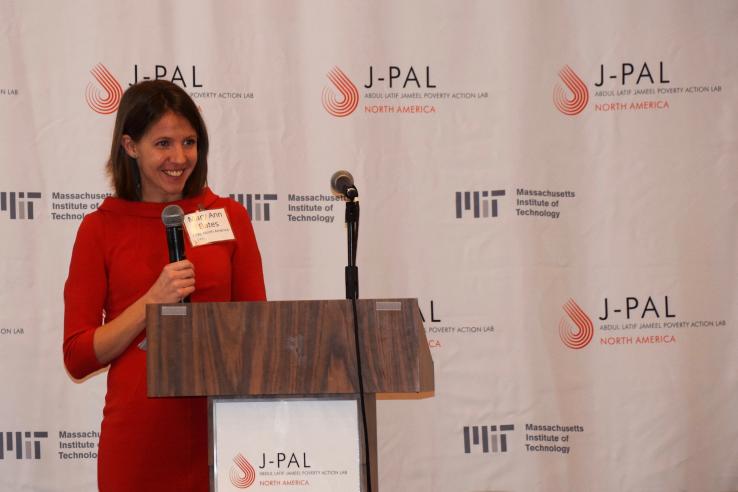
[(155, 444)]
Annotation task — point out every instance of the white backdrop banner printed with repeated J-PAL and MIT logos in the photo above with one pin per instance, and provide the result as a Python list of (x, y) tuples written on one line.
[(557, 183)]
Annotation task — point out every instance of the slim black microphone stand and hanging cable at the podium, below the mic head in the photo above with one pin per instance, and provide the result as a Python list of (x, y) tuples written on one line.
[(352, 293)]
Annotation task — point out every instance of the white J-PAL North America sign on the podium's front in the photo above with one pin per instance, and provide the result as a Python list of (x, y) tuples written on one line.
[(281, 445)]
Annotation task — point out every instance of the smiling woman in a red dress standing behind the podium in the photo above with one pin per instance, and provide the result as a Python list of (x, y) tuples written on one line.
[(120, 263)]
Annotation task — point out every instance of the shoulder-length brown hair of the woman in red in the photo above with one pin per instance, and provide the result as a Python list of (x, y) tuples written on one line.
[(141, 106)]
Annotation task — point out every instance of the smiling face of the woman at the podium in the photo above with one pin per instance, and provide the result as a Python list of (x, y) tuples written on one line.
[(166, 155)]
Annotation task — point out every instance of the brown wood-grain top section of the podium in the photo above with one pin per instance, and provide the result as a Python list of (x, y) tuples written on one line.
[(299, 348)]
